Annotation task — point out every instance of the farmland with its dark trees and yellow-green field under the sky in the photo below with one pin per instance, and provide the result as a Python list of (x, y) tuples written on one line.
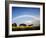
[(23, 27)]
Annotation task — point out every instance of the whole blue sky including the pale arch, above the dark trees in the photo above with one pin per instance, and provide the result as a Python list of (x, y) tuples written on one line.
[(25, 14)]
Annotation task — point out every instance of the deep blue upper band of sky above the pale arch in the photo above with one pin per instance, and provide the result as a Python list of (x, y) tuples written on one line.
[(16, 11)]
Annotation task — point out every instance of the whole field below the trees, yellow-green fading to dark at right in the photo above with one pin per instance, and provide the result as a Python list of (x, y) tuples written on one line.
[(22, 28)]
